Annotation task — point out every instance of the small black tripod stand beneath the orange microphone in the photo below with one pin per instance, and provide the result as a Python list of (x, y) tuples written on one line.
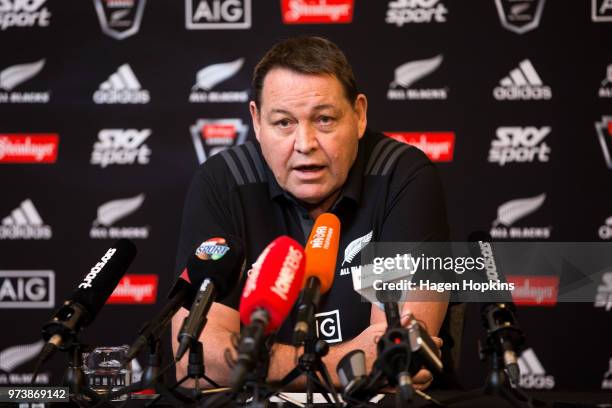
[(311, 365)]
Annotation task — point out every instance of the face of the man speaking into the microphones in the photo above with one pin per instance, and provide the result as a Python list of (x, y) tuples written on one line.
[(308, 131)]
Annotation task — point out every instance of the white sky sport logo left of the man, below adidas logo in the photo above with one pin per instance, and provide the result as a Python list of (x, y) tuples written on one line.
[(121, 147)]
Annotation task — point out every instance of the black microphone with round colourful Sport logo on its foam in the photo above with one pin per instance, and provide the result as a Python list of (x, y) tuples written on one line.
[(221, 262)]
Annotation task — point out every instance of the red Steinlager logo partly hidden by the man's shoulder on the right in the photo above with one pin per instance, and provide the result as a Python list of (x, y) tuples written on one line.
[(438, 146)]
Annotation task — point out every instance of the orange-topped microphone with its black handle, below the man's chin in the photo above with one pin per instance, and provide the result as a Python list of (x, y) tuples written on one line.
[(321, 253)]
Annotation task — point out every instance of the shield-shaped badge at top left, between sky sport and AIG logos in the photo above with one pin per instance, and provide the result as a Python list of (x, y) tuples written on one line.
[(120, 18)]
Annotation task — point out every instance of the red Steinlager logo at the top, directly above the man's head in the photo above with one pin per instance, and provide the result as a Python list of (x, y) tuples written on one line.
[(317, 11)]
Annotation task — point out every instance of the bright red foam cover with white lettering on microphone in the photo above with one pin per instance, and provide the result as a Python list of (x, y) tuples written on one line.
[(274, 282)]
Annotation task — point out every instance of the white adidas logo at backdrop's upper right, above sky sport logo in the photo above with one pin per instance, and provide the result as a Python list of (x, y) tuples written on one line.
[(523, 83)]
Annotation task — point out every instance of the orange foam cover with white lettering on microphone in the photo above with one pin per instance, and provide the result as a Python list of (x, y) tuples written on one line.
[(322, 250)]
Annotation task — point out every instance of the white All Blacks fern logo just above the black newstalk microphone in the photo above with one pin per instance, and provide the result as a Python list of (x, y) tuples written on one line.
[(113, 211)]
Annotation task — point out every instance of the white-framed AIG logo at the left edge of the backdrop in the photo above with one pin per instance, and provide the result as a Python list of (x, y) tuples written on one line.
[(27, 289)]
